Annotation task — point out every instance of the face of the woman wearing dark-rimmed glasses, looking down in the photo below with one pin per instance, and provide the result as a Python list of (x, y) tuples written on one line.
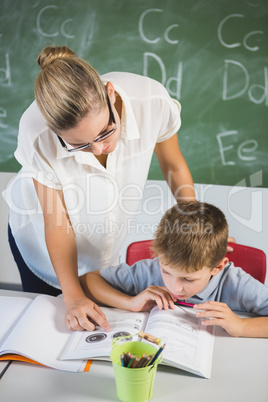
[(93, 127)]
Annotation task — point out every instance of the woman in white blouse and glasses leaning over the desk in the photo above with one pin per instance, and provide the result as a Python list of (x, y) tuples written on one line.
[(85, 145)]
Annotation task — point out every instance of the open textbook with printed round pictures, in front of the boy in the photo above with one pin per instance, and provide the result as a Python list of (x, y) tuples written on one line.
[(189, 345)]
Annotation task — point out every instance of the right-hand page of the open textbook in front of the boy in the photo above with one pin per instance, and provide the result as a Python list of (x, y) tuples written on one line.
[(189, 344)]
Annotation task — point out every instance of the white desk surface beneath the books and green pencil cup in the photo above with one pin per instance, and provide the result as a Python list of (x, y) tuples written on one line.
[(239, 374)]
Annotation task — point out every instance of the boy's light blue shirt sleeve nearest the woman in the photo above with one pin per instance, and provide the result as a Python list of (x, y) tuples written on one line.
[(133, 279)]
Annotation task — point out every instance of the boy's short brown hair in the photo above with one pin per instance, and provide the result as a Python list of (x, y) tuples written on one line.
[(192, 235)]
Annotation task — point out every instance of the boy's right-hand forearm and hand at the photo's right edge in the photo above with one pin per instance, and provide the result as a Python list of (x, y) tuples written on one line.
[(220, 314)]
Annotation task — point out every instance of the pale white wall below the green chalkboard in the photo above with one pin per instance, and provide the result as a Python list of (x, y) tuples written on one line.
[(244, 209)]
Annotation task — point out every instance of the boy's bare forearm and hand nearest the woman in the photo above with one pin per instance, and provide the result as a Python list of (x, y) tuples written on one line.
[(100, 291)]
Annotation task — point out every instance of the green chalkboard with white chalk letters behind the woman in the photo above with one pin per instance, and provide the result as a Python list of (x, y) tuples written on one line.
[(212, 55)]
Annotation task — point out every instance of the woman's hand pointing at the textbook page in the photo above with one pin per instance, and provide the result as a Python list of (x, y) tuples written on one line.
[(83, 314)]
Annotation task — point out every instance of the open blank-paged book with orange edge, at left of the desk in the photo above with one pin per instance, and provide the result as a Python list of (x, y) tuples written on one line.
[(35, 329)]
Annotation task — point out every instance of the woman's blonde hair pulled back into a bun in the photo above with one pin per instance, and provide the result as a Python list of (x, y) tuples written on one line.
[(67, 88)]
